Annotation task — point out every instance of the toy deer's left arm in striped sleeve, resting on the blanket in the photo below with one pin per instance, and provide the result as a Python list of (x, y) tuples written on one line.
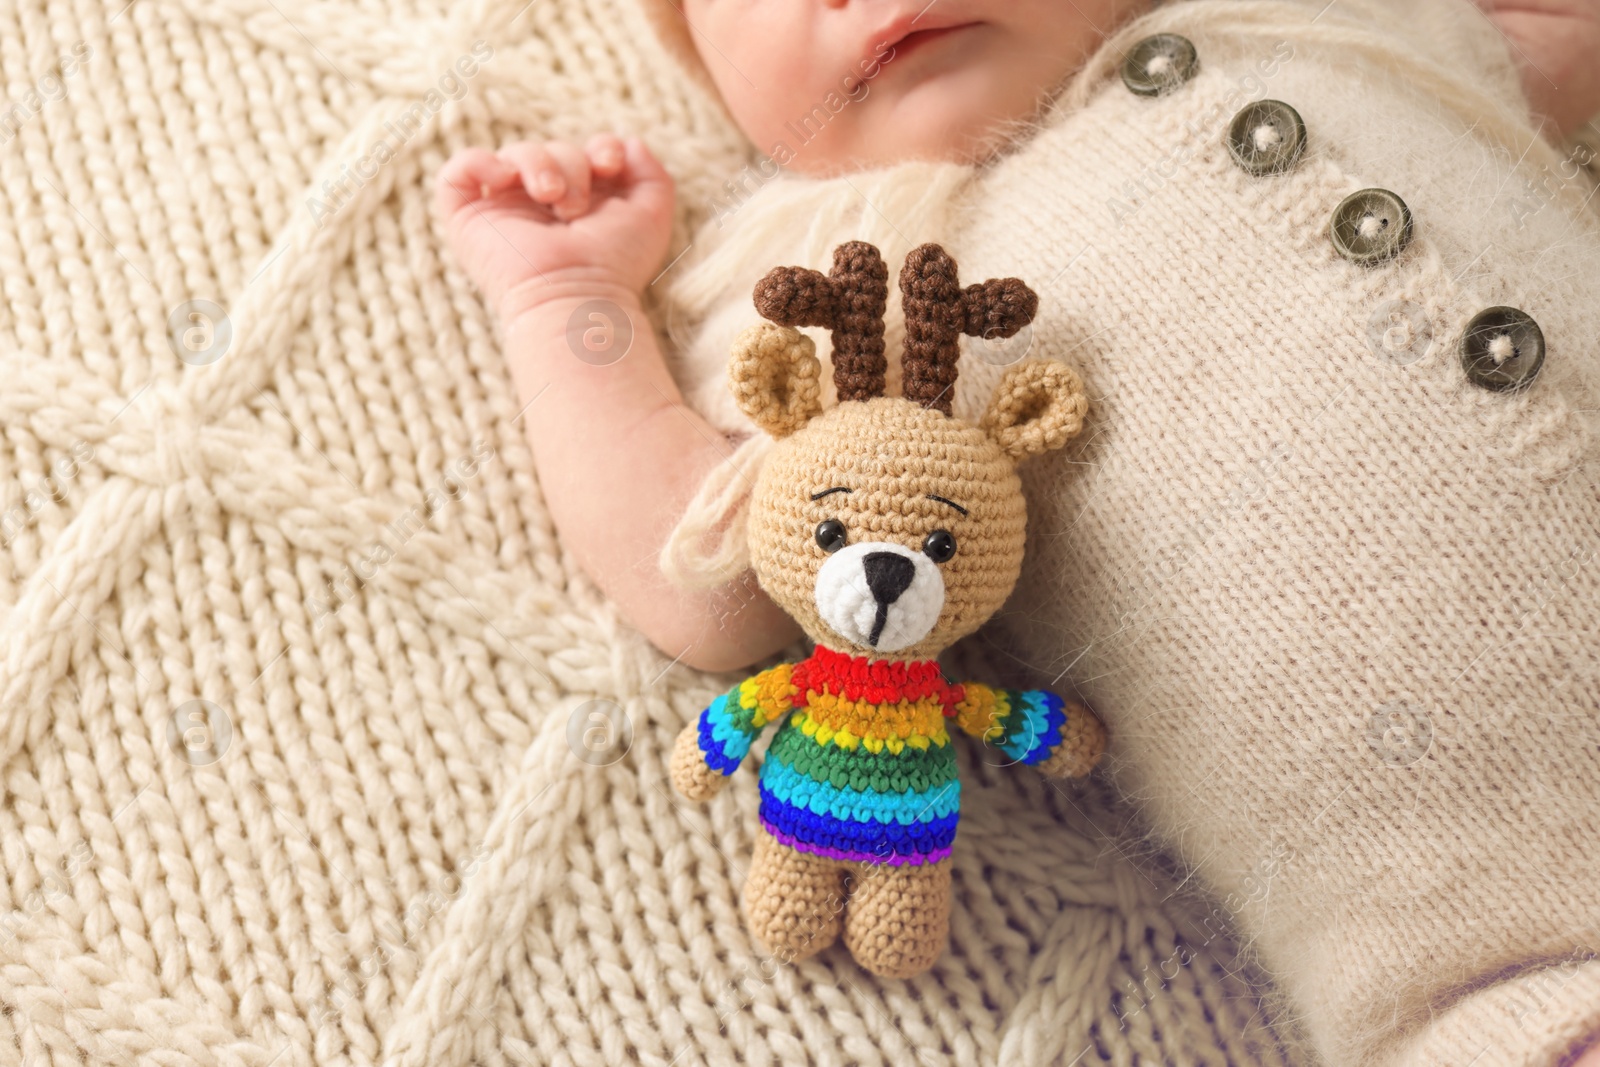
[(716, 743)]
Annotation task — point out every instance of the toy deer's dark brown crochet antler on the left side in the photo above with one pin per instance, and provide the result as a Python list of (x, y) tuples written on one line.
[(849, 302)]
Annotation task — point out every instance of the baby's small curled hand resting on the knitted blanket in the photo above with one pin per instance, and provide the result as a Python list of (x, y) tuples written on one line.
[(553, 218)]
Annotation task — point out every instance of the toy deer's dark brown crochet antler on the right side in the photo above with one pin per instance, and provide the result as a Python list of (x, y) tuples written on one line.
[(940, 311)]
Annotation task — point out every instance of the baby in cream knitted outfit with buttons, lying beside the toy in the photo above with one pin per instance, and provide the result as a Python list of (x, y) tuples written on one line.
[(1322, 557)]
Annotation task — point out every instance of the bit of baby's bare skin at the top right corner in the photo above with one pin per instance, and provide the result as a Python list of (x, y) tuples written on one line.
[(1556, 44)]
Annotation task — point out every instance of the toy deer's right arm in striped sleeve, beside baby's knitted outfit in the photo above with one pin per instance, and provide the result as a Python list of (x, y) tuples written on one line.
[(1036, 727)]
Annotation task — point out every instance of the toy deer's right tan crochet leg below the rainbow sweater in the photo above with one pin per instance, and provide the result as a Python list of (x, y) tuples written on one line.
[(898, 919)]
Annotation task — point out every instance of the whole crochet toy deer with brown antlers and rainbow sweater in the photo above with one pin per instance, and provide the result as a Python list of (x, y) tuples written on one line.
[(889, 529)]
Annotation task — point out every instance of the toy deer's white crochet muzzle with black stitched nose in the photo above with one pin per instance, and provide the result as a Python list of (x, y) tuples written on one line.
[(881, 594)]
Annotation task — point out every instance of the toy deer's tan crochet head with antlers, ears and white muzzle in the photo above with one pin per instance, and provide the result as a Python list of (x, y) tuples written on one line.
[(886, 526)]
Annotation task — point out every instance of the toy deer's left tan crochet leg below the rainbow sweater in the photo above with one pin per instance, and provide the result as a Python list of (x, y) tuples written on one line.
[(793, 901)]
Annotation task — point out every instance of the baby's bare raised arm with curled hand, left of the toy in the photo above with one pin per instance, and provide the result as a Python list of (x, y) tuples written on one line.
[(545, 230)]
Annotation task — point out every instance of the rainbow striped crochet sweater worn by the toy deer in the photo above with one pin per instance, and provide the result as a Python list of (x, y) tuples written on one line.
[(863, 767)]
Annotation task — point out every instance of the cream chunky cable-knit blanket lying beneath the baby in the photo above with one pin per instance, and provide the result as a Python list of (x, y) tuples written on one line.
[(316, 746)]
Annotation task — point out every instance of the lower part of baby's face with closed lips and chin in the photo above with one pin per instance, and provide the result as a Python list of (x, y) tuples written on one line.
[(854, 84)]
